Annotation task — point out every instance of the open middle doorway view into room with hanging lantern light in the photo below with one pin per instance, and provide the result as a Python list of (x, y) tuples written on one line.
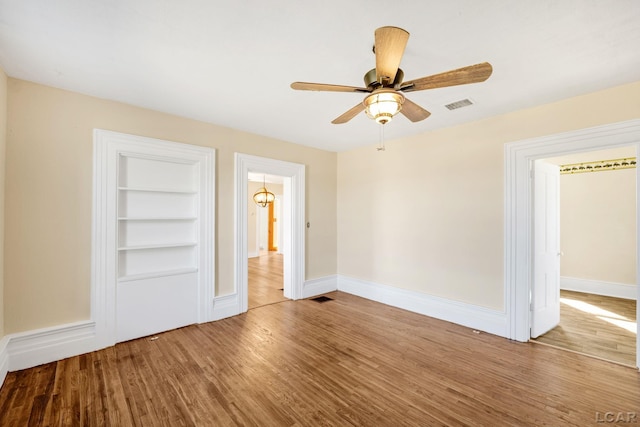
[(265, 263)]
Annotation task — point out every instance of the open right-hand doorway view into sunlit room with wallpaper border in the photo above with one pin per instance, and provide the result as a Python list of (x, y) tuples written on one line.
[(597, 254)]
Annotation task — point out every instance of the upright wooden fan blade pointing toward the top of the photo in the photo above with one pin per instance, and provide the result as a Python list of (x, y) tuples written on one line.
[(389, 47)]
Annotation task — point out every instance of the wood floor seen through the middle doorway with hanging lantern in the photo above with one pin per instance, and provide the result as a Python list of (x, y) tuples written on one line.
[(265, 279)]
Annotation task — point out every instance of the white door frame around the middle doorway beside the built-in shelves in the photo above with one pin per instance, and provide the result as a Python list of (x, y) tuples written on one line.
[(293, 208)]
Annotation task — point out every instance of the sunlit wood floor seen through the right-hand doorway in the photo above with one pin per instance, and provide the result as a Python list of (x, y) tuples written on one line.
[(596, 325)]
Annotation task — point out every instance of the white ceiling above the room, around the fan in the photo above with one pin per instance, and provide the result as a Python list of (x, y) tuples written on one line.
[(230, 63)]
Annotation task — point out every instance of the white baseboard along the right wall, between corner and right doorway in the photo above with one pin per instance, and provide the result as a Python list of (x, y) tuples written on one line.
[(471, 316)]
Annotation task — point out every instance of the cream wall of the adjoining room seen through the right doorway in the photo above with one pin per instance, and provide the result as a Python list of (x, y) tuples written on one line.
[(598, 226)]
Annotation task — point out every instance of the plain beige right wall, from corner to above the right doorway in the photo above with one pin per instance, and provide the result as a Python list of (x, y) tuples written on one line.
[(428, 213)]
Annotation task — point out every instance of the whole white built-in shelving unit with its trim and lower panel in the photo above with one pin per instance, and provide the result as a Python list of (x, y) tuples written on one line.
[(154, 234)]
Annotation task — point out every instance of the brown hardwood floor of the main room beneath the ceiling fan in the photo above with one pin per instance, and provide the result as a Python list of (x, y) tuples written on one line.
[(348, 361)]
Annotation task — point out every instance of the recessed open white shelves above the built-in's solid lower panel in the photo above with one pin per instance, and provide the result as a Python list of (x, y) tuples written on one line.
[(157, 206)]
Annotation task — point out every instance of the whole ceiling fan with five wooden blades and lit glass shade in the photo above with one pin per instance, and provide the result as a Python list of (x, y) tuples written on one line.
[(385, 84)]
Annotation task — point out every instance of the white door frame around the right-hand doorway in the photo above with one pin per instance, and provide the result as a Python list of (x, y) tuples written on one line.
[(518, 210)]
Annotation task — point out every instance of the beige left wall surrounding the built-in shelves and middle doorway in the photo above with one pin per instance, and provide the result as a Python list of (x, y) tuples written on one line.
[(49, 191)]
